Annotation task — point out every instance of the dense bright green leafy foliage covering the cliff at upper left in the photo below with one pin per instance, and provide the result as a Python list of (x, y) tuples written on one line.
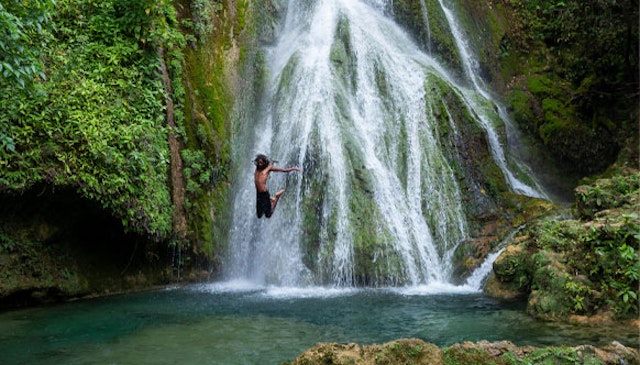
[(98, 124)]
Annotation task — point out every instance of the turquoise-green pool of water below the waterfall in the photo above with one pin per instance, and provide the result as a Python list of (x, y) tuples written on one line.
[(240, 323)]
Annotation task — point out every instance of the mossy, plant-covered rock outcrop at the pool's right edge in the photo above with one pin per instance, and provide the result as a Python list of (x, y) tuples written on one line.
[(579, 267)]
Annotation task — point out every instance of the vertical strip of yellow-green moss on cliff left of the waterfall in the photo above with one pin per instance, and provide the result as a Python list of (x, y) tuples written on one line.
[(207, 123)]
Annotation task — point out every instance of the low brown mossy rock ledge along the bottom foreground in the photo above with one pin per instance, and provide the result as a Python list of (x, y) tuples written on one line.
[(415, 351)]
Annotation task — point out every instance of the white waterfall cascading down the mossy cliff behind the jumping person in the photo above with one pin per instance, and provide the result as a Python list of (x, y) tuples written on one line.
[(354, 102)]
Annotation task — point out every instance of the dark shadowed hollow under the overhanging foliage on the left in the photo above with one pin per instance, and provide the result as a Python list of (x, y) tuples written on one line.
[(55, 245)]
